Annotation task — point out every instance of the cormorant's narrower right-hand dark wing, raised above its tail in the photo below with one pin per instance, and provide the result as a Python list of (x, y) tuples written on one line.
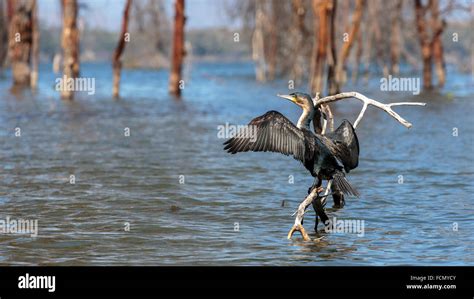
[(346, 145)]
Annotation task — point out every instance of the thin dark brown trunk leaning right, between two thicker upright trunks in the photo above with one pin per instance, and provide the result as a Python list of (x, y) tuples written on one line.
[(116, 62)]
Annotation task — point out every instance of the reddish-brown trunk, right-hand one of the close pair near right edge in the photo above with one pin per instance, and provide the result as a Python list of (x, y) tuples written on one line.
[(437, 43)]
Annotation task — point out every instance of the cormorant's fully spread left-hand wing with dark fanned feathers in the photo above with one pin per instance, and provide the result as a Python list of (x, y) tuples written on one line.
[(273, 132)]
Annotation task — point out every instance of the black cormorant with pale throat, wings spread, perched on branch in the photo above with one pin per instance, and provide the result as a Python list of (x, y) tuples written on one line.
[(324, 156)]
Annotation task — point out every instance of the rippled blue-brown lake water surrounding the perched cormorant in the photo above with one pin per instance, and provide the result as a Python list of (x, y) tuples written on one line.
[(184, 197)]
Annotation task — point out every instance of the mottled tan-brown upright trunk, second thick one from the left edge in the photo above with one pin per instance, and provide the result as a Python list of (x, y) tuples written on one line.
[(70, 45)]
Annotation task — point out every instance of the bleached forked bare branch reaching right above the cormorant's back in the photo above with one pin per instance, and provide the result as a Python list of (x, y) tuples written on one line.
[(366, 101)]
